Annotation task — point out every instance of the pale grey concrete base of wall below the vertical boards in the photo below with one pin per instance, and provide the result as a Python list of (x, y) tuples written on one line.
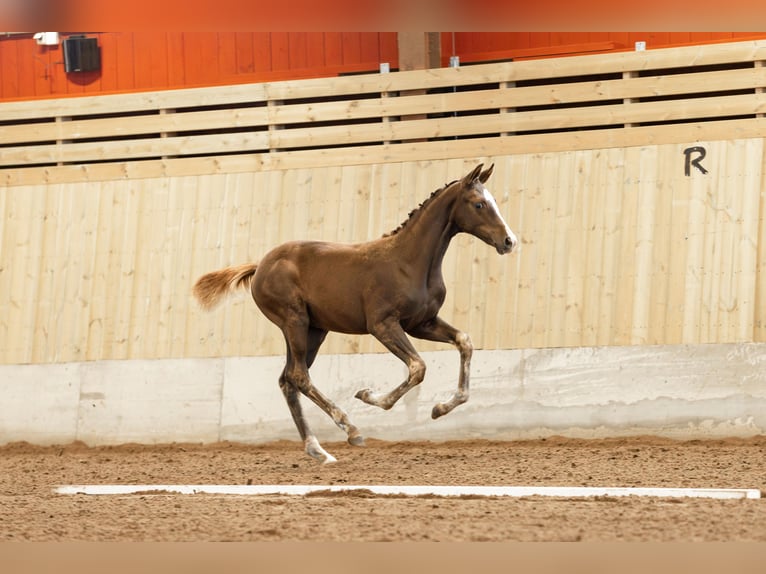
[(684, 391)]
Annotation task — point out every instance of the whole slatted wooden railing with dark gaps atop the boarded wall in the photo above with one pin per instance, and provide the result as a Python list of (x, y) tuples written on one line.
[(609, 100)]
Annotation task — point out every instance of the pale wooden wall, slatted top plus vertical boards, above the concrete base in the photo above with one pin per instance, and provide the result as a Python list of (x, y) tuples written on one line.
[(100, 245)]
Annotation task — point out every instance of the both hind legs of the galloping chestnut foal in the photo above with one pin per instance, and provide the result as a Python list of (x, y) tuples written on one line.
[(303, 345)]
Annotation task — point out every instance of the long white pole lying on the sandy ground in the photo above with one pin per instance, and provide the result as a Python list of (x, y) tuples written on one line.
[(303, 489)]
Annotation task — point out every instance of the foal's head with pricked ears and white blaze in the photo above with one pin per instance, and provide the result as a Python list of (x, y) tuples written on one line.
[(476, 212)]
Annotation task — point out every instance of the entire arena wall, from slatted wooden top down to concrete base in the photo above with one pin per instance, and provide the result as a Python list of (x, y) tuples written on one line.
[(634, 305)]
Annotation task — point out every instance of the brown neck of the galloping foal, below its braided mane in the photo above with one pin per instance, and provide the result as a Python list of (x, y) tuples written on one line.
[(424, 240)]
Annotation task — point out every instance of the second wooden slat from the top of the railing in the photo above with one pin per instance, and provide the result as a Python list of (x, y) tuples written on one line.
[(236, 118)]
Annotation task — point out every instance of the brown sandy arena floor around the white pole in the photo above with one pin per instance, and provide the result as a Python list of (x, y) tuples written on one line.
[(29, 510)]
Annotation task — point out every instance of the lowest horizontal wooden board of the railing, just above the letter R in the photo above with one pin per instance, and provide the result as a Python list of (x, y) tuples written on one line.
[(369, 155)]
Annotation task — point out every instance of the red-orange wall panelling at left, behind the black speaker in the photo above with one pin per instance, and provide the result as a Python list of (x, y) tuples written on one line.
[(141, 61)]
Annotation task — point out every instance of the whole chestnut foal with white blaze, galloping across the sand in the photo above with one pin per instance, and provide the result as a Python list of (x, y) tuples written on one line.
[(389, 287)]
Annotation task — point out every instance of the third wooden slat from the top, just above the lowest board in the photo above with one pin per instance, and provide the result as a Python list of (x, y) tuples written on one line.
[(556, 119)]
